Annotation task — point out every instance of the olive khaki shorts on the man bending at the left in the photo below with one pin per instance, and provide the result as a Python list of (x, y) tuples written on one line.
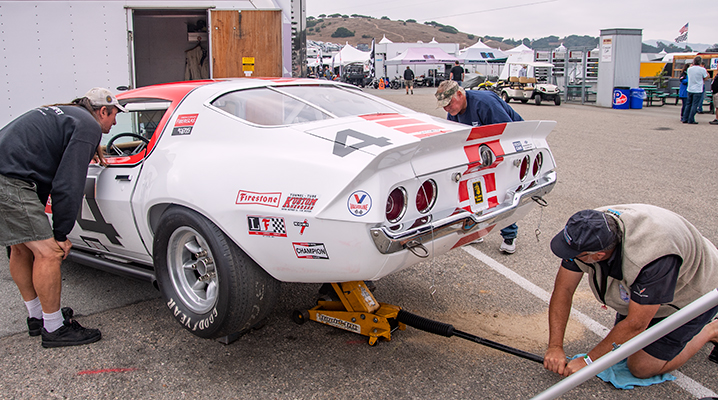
[(22, 215)]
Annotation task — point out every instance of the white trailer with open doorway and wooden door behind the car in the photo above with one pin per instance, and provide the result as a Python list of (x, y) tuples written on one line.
[(54, 51)]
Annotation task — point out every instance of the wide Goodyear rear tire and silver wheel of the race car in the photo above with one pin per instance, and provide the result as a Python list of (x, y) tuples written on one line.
[(211, 287)]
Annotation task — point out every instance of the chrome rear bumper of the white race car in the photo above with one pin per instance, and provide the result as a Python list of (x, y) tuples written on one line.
[(463, 223)]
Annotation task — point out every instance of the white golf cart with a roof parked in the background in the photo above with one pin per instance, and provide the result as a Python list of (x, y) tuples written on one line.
[(525, 88)]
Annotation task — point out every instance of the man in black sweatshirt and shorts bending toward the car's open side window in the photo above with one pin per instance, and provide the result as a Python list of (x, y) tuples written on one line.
[(45, 152)]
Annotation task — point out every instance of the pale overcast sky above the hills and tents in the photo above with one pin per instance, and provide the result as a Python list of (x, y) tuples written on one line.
[(659, 19)]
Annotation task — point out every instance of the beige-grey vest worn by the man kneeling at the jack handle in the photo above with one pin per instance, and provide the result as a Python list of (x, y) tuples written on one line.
[(649, 233)]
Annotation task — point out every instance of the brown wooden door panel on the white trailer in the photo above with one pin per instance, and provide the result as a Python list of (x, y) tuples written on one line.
[(249, 33)]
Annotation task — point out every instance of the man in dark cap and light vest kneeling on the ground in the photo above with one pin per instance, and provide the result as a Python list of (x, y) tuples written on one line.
[(646, 263)]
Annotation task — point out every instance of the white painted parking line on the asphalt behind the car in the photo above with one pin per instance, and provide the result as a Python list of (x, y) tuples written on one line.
[(688, 384)]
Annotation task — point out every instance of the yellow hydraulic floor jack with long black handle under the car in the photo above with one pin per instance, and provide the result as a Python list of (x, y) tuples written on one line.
[(356, 310)]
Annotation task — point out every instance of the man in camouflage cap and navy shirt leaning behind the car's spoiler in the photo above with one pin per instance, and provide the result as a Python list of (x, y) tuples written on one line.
[(476, 108)]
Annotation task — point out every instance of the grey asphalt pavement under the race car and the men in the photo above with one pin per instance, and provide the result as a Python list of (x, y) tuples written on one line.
[(604, 157)]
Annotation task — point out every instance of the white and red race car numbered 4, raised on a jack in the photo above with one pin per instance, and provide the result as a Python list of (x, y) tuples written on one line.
[(217, 190)]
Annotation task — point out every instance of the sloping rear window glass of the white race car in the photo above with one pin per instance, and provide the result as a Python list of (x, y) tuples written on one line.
[(286, 105)]
